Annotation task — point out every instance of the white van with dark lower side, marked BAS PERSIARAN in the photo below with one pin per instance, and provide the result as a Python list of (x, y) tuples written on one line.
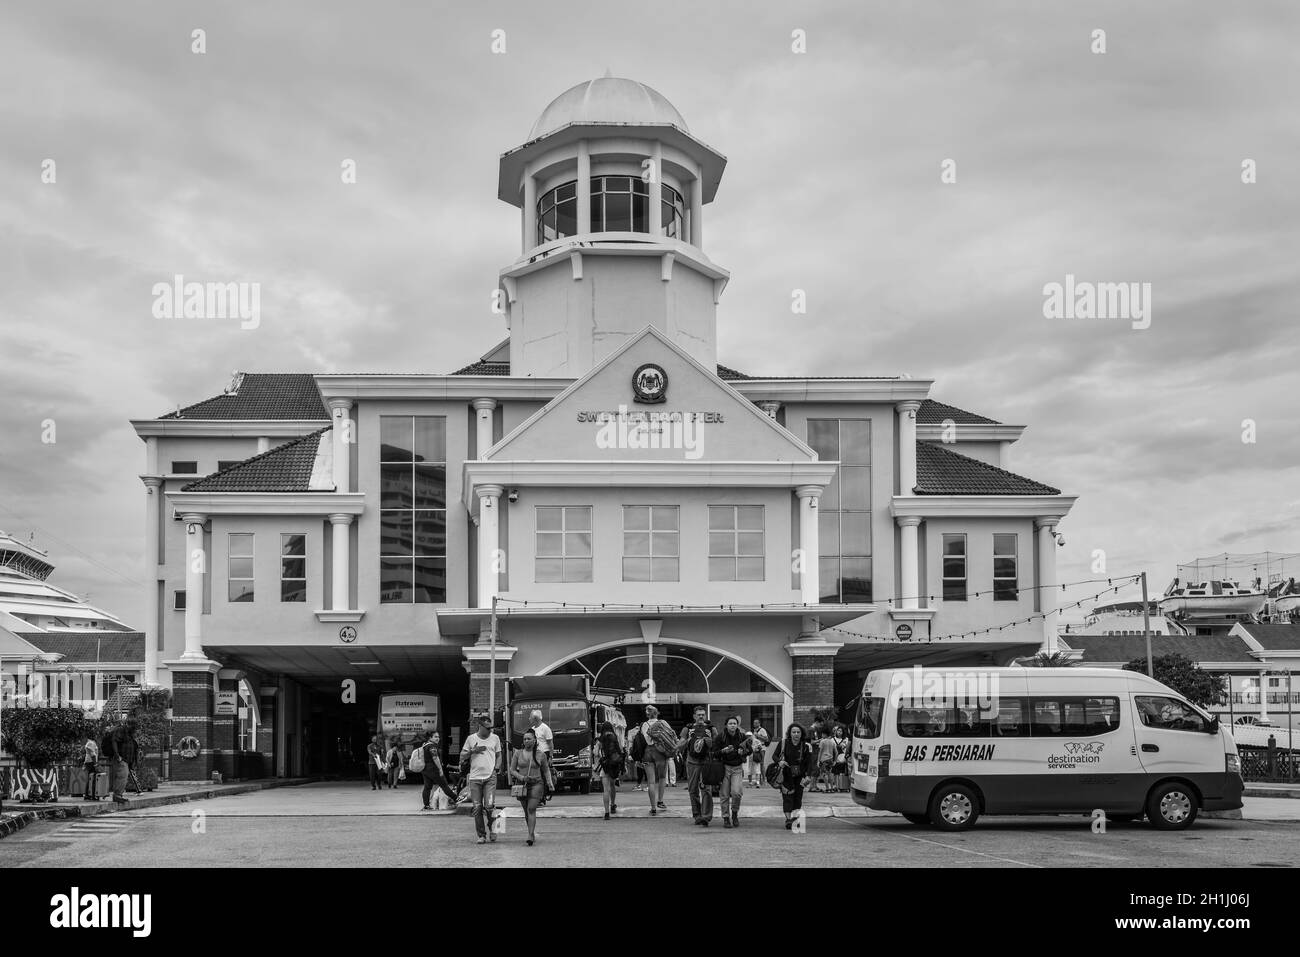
[(944, 746)]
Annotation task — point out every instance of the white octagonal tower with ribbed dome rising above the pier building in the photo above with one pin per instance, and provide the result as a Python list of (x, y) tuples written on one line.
[(612, 187)]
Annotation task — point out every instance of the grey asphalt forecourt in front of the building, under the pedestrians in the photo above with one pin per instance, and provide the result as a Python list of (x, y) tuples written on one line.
[(344, 825)]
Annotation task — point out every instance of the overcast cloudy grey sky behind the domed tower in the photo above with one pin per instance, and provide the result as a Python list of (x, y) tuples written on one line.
[(1124, 167)]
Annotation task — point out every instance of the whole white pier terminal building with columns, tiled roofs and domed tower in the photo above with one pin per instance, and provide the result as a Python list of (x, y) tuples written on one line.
[(644, 514)]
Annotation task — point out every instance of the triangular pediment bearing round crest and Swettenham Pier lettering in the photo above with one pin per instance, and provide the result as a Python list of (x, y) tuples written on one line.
[(601, 419)]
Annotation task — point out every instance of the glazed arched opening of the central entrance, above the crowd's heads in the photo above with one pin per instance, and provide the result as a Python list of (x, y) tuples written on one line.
[(677, 677)]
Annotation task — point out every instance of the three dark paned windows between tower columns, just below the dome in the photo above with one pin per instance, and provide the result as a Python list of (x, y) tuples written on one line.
[(619, 205)]
